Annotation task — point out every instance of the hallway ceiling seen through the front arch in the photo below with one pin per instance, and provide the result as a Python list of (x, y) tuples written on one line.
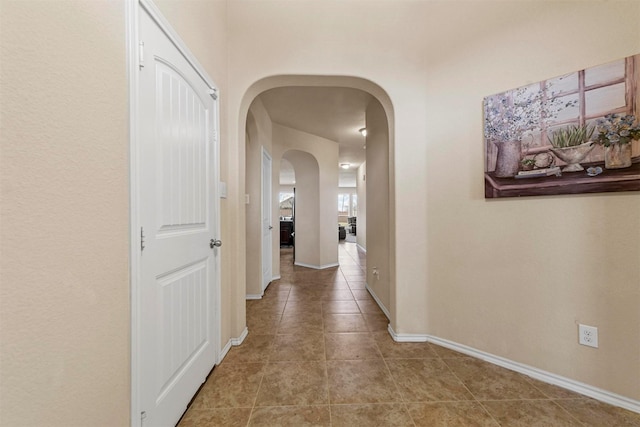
[(334, 113)]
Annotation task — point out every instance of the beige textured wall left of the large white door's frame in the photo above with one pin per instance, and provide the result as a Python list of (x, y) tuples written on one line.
[(64, 296)]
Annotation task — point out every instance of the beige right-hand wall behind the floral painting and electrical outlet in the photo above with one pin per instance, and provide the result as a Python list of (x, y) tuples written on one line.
[(520, 274)]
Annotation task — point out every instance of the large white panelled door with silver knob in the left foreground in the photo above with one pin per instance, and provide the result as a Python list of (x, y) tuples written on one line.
[(178, 218)]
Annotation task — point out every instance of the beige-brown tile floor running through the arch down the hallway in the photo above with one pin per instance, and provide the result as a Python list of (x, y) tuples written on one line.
[(318, 354)]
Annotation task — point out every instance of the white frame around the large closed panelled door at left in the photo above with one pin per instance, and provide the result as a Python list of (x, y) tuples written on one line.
[(135, 57)]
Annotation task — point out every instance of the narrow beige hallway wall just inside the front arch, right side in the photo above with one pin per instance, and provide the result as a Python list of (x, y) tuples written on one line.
[(377, 187)]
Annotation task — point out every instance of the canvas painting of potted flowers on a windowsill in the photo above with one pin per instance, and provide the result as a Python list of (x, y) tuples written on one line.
[(577, 133)]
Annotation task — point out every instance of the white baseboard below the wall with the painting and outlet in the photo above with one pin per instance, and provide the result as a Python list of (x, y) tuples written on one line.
[(544, 376)]
